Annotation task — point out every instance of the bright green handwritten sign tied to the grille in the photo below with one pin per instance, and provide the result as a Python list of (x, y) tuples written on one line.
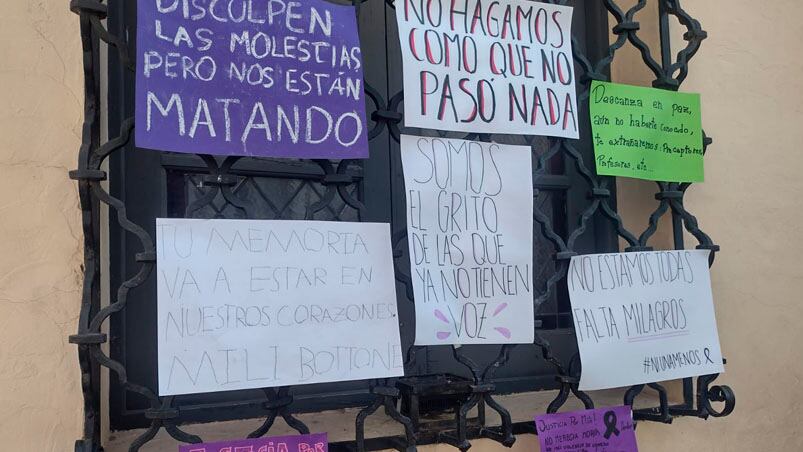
[(646, 133)]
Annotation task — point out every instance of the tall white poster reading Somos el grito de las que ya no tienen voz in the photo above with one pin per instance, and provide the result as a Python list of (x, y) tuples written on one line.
[(470, 235)]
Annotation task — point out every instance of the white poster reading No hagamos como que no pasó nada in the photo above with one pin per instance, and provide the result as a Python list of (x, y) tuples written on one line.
[(488, 66)]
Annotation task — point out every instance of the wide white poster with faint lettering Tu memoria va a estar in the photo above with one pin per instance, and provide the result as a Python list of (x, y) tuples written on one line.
[(256, 303)]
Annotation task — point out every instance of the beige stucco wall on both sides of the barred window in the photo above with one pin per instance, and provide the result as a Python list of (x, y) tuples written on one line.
[(751, 79)]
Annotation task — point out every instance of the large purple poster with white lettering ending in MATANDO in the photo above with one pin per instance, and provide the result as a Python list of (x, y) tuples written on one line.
[(266, 78)]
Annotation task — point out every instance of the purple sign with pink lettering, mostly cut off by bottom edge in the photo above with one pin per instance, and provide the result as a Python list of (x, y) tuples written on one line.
[(316, 442)]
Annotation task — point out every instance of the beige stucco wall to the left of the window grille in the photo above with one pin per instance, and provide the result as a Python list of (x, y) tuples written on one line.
[(40, 251)]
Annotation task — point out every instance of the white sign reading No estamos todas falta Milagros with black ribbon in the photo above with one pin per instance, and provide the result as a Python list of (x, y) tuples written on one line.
[(643, 317)]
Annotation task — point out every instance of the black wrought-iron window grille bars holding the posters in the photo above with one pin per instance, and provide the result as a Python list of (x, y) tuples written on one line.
[(701, 397)]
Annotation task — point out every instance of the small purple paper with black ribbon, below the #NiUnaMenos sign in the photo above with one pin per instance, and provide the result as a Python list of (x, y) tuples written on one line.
[(601, 430)]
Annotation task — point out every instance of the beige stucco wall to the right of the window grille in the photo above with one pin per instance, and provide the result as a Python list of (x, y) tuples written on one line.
[(751, 79)]
